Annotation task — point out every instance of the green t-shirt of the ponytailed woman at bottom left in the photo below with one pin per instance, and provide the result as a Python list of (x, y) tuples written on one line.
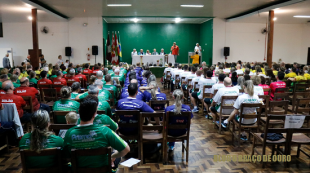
[(41, 161)]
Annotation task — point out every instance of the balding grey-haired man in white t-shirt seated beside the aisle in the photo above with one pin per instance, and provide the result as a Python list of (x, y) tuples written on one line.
[(228, 90)]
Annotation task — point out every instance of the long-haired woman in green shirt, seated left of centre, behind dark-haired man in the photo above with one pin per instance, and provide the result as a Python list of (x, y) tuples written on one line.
[(65, 103)]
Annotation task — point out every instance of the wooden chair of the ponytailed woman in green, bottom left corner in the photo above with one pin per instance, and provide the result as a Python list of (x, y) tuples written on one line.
[(46, 152)]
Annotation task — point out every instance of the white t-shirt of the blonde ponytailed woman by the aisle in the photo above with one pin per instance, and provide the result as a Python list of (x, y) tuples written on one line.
[(246, 98)]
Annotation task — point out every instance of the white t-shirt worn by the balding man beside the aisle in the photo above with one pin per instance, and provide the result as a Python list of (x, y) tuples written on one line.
[(226, 91)]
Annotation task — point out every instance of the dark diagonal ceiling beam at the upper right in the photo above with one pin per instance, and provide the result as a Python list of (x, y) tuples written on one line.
[(263, 8)]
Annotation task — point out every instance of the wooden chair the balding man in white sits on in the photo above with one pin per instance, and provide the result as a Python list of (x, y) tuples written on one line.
[(220, 116)]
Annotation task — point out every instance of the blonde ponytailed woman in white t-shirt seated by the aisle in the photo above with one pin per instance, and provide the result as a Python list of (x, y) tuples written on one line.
[(248, 97)]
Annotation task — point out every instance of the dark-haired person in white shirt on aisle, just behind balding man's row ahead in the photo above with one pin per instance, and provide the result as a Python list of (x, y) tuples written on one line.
[(202, 82)]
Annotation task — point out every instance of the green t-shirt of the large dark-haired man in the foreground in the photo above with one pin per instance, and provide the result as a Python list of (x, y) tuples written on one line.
[(92, 137)]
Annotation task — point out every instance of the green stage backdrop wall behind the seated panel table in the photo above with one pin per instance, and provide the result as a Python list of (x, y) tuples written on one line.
[(148, 36)]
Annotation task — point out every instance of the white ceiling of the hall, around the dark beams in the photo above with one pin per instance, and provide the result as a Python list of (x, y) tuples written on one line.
[(17, 11)]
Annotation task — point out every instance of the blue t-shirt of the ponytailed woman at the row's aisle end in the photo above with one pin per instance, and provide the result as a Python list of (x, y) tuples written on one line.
[(178, 120)]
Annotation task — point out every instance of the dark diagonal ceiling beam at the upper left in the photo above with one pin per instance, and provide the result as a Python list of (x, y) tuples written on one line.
[(46, 8)]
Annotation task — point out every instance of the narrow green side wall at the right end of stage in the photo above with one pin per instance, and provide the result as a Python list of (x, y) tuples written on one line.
[(206, 41)]
